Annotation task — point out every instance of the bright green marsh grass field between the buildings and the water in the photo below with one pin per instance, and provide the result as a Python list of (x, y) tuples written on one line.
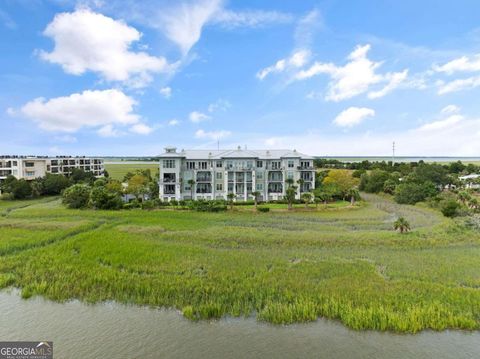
[(283, 267)]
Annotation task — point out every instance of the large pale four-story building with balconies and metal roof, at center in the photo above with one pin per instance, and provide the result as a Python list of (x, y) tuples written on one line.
[(213, 174)]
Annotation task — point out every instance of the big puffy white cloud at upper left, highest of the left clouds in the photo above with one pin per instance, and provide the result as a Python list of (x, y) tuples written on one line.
[(88, 41)]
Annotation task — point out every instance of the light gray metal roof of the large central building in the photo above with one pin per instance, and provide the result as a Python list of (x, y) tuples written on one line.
[(238, 153)]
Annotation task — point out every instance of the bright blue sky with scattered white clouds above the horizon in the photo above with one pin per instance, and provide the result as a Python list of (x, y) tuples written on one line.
[(327, 78)]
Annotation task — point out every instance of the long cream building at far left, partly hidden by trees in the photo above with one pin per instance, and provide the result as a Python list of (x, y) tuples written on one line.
[(30, 167)]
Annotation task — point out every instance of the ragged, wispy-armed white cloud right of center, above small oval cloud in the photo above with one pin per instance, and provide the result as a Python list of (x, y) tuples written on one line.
[(355, 77)]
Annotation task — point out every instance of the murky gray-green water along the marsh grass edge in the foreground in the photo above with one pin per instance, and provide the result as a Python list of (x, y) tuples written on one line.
[(110, 330)]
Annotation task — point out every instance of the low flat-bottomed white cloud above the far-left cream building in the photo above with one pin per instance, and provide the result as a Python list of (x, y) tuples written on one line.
[(86, 109)]
